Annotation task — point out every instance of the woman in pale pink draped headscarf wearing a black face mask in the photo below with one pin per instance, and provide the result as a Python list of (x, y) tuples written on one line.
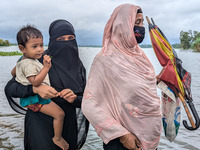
[(120, 99)]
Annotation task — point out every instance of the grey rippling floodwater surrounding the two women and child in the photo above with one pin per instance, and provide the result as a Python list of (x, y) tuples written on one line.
[(12, 124)]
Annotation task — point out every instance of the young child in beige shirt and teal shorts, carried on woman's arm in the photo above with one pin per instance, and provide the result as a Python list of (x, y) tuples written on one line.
[(30, 71)]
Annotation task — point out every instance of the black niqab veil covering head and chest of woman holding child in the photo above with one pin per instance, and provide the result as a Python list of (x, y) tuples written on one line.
[(65, 57)]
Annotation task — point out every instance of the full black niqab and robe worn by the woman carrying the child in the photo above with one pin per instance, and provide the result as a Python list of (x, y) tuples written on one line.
[(67, 72)]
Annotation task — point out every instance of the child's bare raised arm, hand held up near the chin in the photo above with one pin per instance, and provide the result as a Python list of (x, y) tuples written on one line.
[(37, 80)]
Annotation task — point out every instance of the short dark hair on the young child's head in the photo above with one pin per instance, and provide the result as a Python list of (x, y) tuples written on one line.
[(26, 33)]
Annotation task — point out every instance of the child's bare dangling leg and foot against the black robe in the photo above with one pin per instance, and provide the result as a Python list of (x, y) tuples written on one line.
[(53, 110)]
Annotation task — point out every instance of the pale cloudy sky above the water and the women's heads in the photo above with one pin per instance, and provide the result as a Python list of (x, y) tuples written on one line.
[(90, 16)]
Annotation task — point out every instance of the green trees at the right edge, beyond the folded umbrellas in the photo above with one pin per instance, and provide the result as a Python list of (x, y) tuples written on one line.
[(189, 39)]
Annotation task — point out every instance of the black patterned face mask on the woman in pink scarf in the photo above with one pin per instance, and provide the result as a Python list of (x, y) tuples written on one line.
[(139, 33)]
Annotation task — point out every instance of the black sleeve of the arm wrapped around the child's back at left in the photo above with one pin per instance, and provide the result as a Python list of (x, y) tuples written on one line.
[(15, 89)]
